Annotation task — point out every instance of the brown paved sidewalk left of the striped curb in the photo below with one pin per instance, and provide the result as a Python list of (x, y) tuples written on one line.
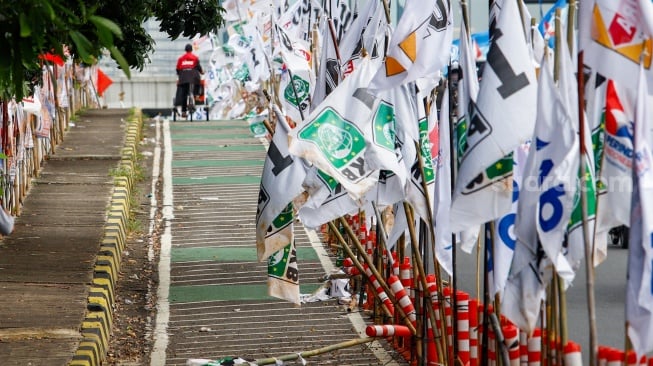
[(47, 264)]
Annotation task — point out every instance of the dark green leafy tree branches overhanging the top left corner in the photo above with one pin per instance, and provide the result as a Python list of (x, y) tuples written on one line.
[(31, 28)]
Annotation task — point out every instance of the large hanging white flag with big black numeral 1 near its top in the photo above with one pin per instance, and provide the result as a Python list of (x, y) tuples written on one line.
[(502, 118)]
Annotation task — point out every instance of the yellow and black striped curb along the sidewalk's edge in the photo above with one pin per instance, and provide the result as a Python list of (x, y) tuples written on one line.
[(96, 326)]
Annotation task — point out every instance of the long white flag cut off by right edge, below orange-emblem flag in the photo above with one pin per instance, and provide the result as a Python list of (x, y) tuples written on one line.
[(639, 288)]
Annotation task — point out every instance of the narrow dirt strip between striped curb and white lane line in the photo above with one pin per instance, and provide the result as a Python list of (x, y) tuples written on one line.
[(135, 309)]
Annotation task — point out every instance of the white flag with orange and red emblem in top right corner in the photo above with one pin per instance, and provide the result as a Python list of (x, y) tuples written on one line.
[(616, 38)]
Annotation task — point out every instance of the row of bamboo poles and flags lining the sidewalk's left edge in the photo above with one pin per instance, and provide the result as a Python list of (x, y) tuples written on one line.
[(33, 127)]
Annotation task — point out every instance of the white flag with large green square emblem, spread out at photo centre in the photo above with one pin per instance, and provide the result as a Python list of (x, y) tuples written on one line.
[(333, 135)]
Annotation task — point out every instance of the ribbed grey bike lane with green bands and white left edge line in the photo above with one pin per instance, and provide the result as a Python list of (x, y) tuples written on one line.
[(213, 298)]
